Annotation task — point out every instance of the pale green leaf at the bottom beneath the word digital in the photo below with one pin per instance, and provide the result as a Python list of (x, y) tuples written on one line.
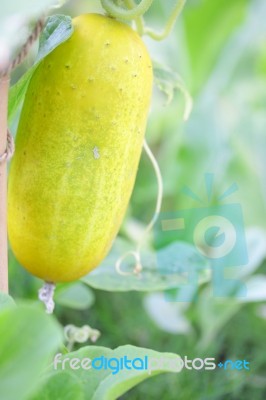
[(104, 384)]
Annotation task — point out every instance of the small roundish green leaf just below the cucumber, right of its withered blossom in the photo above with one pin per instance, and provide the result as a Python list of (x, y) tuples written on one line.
[(76, 296)]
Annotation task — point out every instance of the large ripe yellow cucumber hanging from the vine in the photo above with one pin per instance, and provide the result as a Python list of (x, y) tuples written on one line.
[(78, 147)]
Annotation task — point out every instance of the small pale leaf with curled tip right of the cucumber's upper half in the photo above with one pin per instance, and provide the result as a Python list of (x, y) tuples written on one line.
[(168, 82)]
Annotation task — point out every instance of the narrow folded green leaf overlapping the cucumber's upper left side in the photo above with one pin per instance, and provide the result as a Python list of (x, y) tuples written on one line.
[(57, 30)]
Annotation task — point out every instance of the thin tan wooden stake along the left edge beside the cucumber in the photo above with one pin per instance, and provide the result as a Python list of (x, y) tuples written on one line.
[(4, 85)]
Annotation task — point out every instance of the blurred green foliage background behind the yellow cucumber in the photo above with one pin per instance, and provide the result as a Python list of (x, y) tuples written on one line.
[(219, 49)]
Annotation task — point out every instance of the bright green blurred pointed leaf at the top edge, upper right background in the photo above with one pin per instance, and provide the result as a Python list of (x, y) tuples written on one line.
[(208, 24)]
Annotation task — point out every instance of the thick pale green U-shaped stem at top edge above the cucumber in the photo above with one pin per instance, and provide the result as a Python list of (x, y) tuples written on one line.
[(118, 12)]
